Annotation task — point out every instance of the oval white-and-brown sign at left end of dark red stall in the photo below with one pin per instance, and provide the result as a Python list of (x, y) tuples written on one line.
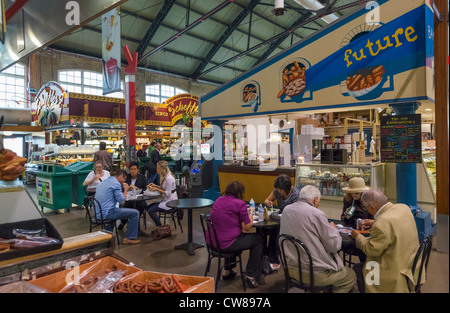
[(48, 105)]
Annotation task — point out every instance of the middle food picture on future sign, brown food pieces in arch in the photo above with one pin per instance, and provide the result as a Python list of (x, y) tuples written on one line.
[(294, 82)]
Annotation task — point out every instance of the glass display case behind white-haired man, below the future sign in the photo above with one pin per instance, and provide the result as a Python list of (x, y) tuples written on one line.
[(331, 178)]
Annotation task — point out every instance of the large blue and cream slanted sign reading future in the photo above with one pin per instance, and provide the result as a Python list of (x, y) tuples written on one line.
[(356, 61)]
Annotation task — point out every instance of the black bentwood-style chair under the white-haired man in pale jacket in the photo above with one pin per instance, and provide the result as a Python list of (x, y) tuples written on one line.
[(299, 250)]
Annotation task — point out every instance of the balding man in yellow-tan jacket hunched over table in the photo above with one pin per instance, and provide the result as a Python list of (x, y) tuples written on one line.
[(391, 248)]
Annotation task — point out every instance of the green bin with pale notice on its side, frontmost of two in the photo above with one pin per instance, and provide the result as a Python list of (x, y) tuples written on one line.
[(54, 187)]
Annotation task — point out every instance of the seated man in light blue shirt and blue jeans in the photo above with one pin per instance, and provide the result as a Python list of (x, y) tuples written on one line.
[(111, 192)]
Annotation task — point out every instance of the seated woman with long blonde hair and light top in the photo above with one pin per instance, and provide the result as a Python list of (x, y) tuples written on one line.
[(168, 191)]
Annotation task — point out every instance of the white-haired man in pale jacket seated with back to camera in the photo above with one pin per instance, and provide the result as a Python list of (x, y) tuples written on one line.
[(304, 221)]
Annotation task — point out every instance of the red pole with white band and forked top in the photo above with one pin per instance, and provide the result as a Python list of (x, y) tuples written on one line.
[(130, 104)]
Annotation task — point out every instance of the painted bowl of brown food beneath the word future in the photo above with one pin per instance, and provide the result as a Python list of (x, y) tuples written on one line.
[(364, 81)]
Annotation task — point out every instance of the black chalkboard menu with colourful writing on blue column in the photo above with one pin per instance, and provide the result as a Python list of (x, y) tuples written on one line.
[(401, 138)]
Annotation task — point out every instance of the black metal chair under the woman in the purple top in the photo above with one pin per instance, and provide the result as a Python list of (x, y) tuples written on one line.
[(214, 250)]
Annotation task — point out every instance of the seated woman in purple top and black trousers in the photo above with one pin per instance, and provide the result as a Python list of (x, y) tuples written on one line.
[(230, 218)]
